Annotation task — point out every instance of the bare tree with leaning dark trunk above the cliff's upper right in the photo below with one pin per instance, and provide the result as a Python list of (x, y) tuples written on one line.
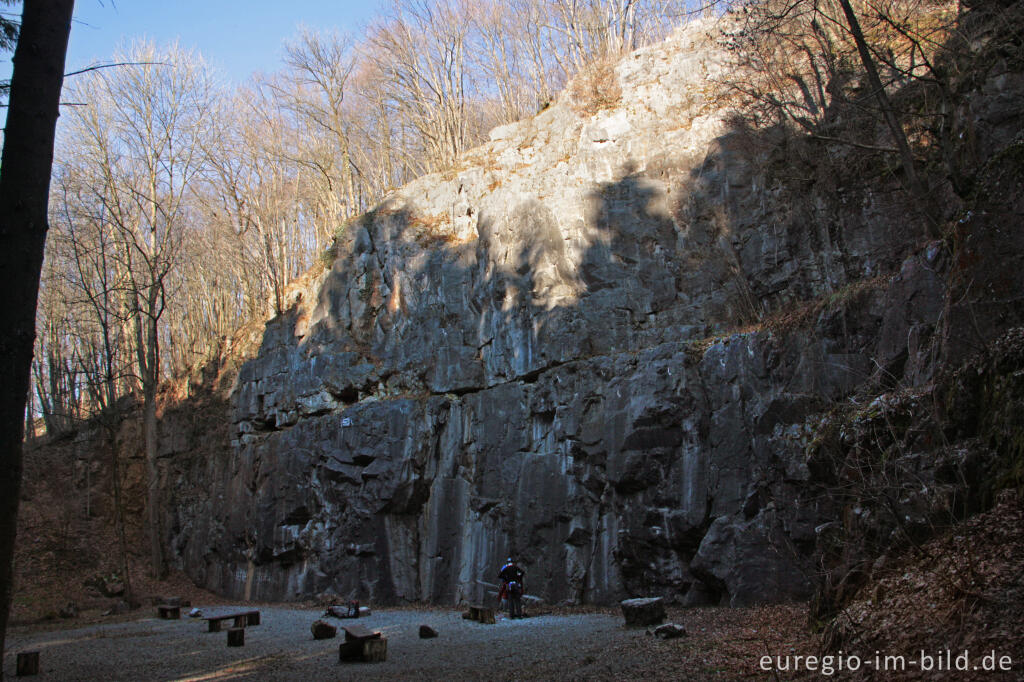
[(804, 61)]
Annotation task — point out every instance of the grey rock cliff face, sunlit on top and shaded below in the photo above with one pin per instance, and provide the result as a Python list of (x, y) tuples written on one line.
[(536, 355)]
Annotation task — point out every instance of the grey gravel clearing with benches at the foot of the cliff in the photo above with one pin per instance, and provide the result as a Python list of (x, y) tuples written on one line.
[(283, 649)]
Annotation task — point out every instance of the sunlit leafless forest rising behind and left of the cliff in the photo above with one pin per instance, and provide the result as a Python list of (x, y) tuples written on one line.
[(182, 208)]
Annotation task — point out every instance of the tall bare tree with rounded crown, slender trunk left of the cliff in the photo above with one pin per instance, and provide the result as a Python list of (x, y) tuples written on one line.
[(144, 135)]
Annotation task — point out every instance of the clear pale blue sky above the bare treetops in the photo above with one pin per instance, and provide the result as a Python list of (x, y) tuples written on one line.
[(240, 36)]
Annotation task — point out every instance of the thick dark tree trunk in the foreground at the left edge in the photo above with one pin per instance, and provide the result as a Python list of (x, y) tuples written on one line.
[(25, 186)]
